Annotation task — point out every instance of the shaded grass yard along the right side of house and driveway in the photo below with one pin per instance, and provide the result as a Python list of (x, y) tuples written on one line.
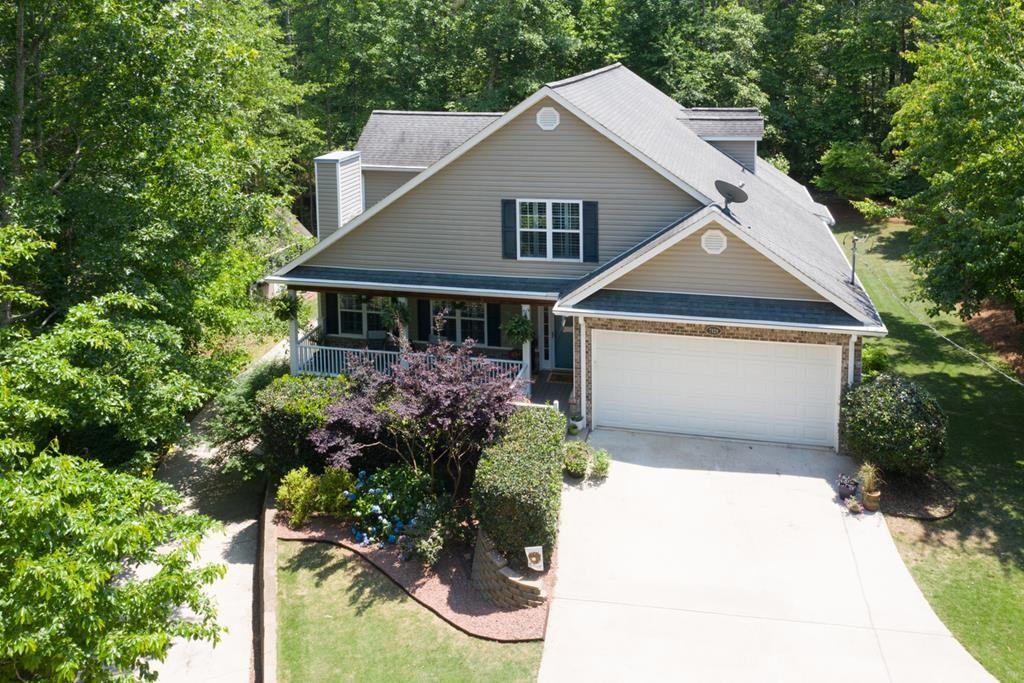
[(971, 567)]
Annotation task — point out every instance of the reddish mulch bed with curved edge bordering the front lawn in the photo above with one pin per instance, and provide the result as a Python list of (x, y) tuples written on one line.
[(447, 589)]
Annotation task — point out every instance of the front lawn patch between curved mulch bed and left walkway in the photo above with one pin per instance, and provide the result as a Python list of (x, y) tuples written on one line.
[(340, 620)]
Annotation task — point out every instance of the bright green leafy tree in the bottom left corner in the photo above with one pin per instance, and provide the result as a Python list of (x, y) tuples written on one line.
[(96, 571)]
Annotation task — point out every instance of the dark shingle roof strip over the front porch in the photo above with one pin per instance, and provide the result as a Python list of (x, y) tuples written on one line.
[(344, 277)]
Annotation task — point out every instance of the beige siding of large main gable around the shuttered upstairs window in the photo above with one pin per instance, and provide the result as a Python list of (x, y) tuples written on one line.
[(452, 223)]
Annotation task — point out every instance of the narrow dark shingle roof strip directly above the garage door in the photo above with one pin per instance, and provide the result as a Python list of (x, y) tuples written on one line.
[(708, 308)]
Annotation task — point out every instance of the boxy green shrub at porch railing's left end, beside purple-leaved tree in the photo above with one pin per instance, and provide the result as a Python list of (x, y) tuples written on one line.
[(288, 411)]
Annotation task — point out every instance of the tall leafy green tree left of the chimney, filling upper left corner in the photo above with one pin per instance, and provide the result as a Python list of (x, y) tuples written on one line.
[(147, 146)]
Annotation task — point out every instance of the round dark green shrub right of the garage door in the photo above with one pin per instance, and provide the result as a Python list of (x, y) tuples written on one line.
[(895, 424)]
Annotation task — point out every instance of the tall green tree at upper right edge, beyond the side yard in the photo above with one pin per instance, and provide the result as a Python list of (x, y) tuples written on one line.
[(960, 124)]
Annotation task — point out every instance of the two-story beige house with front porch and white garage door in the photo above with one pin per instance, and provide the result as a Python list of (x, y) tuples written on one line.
[(595, 208)]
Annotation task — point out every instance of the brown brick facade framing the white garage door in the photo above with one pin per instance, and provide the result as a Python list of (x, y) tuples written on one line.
[(692, 330)]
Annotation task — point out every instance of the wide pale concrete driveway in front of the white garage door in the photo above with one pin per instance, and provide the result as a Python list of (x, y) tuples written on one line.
[(712, 561)]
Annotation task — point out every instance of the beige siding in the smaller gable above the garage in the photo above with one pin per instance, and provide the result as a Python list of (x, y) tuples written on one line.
[(740, 271)]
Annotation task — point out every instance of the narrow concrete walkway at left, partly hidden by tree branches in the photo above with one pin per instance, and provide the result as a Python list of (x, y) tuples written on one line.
[(193, 469)]
